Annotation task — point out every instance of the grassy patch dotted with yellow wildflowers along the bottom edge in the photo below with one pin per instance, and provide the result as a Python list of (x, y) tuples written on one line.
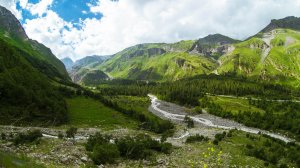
[(200, 153)]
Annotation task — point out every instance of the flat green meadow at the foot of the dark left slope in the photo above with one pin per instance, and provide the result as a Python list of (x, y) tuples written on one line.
[(86, 112)]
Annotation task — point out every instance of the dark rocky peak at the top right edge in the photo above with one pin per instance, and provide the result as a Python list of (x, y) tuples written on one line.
[(290, 22)]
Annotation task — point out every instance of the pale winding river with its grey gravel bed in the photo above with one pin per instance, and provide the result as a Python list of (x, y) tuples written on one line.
[(177, 113)]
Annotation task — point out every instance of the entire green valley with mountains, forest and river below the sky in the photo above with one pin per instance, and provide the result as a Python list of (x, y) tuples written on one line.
[(214, 101)]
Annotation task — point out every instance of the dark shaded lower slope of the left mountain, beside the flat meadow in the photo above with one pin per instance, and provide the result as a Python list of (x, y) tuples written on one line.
[(27, 97)]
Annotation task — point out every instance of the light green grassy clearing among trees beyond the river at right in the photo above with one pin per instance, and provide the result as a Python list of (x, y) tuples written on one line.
[(234, 104)]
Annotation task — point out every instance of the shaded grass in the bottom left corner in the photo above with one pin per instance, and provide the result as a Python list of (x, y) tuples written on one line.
[(9, 160)]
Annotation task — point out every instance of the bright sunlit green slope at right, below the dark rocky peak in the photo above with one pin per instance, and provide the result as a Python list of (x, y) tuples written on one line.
[(281, 65)]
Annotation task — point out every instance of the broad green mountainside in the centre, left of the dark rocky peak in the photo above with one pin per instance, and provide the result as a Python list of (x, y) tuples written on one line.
[(160, 62)]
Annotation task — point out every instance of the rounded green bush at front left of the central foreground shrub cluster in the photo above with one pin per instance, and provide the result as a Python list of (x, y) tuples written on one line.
[(105, 153)]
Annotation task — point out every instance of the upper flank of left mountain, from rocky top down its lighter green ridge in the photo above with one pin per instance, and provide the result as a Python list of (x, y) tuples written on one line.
[(39, 55)]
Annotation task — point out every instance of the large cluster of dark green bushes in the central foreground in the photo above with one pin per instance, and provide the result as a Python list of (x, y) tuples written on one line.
[(138, 147)]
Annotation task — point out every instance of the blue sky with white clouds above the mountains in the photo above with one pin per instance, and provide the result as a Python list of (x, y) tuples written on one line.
[(79, 28)]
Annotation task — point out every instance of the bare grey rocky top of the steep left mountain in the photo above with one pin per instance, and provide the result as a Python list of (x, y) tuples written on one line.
[(10, 24)]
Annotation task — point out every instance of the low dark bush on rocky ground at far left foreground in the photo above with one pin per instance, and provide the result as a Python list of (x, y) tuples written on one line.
[(29, 137)]
